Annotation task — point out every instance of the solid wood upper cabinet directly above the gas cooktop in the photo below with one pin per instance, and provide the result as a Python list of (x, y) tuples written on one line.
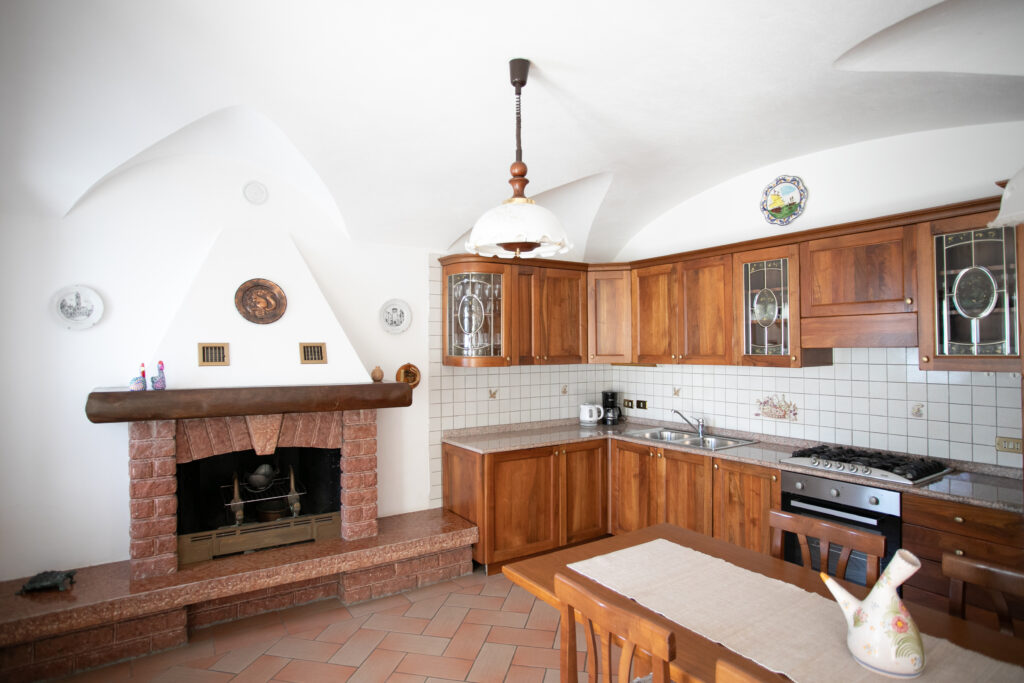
[(860, 290)]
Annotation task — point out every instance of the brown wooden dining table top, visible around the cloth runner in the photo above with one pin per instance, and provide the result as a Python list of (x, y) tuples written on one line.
[(697, 656)]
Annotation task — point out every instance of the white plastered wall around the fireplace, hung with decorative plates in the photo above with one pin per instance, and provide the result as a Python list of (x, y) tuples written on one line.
[(140, 241)]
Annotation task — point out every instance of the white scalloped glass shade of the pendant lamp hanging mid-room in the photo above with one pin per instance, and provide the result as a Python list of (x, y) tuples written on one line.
[(519, 222)]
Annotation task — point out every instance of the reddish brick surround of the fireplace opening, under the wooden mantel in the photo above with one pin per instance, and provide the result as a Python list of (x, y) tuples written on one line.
[(157, 447)]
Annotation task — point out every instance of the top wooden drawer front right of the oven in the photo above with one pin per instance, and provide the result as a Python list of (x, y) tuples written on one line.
[(971, 521)]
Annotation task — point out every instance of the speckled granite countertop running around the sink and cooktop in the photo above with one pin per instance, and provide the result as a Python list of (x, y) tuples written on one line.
[(987, 486)]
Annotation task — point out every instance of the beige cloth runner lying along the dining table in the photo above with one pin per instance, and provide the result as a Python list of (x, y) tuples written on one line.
[(780, 626)]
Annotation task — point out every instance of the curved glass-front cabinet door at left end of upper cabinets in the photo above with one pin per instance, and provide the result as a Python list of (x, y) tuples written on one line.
[(475, 315)]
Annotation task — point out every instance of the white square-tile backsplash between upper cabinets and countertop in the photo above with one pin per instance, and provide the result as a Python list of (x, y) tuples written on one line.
[(874, 399)]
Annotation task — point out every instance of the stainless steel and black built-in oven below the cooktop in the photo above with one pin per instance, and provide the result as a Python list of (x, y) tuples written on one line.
[(870, 508)]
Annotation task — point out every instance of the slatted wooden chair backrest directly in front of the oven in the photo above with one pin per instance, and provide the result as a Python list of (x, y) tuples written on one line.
[(828, 533)]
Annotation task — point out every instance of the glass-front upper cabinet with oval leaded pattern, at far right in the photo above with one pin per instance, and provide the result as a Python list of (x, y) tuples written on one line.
[(969, 319)]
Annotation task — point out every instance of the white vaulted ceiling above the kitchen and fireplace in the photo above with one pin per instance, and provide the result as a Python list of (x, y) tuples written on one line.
[(405, 109)]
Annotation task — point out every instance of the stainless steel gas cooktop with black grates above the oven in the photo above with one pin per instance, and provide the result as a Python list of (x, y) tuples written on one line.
[(871, 464)]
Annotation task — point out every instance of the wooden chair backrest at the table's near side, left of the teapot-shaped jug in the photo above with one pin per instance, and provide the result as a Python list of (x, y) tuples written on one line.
[(605, 624)]
